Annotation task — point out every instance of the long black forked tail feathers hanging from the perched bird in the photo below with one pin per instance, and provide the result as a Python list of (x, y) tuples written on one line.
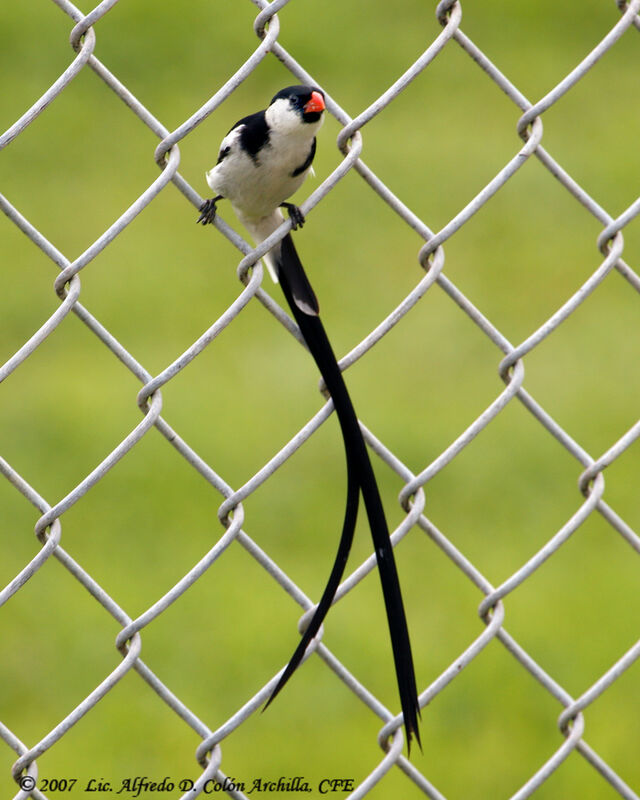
[(360, 476)]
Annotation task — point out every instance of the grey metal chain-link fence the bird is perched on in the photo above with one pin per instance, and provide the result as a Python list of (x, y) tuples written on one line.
[(215, 732)]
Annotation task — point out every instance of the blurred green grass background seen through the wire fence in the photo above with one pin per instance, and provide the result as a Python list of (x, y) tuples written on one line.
[(160, 284)]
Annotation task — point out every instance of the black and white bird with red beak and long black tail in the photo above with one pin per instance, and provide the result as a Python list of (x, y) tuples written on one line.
[(262, 161)]
